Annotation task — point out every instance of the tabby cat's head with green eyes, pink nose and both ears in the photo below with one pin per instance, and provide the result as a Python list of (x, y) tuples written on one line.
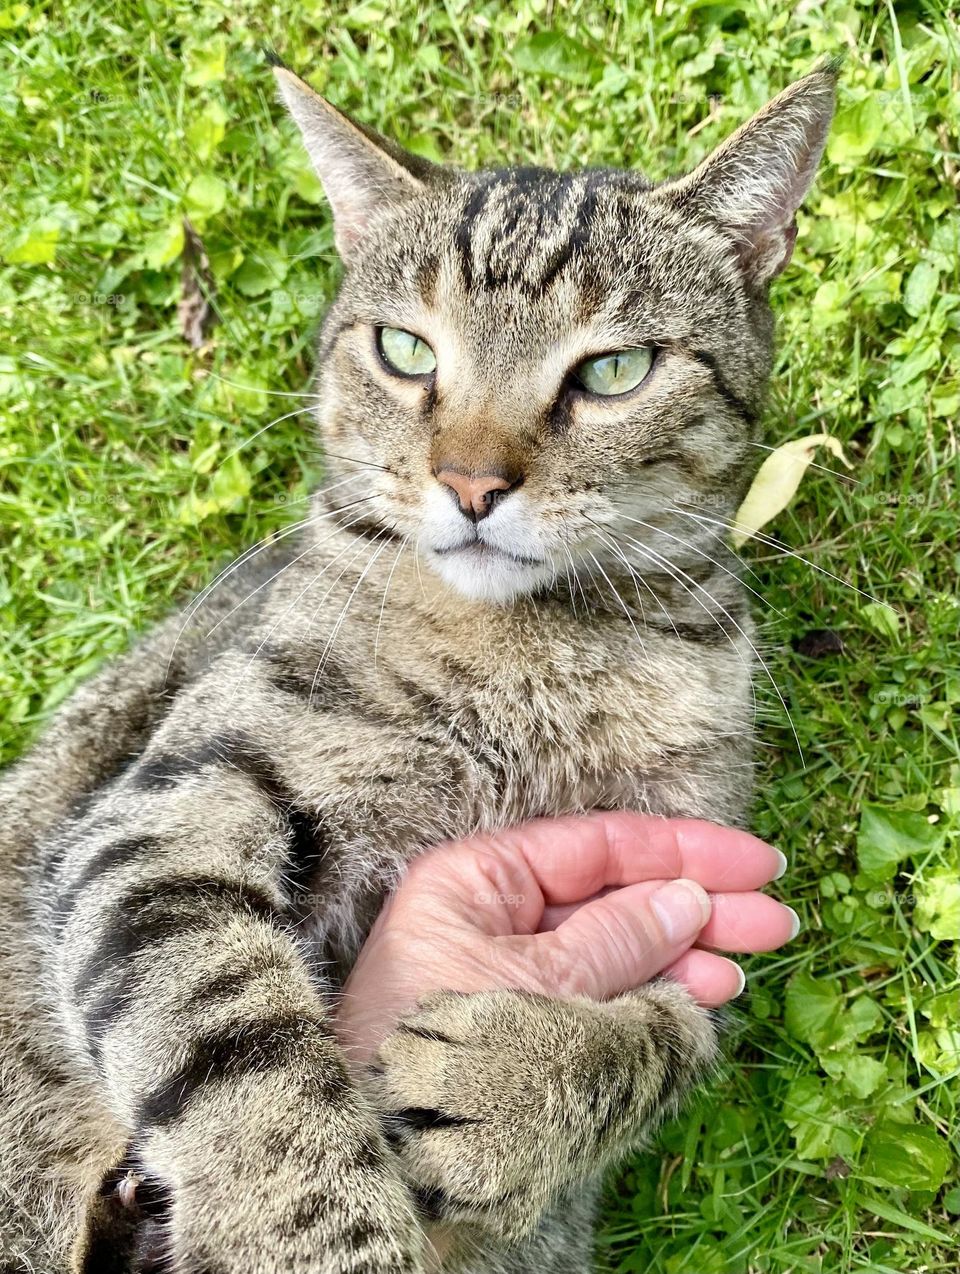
[(528, 371)]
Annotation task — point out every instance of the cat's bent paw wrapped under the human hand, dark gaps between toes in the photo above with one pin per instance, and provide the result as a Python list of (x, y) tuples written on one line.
[(496, 1103)]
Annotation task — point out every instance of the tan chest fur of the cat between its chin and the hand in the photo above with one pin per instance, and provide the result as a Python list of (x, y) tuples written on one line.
[(427, 719)]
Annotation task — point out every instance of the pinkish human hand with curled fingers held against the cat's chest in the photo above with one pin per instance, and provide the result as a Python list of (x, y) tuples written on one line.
[(574, 906)]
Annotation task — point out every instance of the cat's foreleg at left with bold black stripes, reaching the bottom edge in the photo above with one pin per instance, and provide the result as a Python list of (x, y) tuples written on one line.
[(183, 984)]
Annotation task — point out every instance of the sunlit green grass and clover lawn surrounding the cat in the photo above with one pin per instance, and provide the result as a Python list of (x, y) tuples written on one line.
[(831, 1145)]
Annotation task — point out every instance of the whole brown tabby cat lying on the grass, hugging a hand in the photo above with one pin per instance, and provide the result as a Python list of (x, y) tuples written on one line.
[(505, 605)]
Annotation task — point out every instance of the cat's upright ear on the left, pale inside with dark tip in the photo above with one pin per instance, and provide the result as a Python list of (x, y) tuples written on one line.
[(364, 175)]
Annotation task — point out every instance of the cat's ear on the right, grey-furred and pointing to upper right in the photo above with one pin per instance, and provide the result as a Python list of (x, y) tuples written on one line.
[(753, 184)]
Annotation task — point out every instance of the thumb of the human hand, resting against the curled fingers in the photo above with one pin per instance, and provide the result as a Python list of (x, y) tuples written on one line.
[(616, 943)]
